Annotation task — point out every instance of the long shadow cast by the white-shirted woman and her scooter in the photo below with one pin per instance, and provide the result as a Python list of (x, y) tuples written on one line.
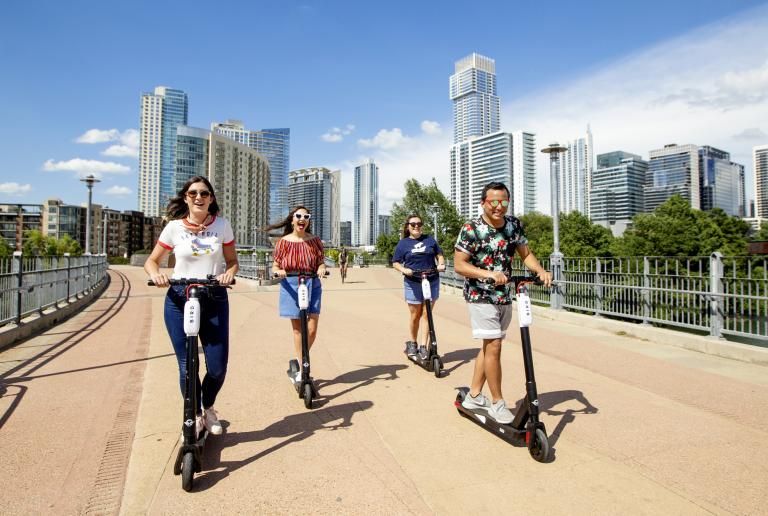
[(293, 428)]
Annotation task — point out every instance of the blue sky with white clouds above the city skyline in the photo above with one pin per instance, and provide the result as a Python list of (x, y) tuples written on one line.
[(641, 73)]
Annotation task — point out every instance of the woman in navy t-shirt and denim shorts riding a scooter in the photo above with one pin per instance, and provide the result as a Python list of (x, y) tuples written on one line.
[(417, 252)]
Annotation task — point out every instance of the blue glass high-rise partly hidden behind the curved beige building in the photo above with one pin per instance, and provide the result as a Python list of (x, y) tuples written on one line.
[(275, 146)]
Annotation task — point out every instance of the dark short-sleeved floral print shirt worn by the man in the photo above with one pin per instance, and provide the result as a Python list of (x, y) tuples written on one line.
[(493, 250)]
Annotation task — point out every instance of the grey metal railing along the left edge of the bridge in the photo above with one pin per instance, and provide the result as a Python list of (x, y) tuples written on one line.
[(32, 284)]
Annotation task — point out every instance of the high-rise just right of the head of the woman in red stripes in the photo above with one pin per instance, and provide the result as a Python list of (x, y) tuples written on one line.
[(319, 190)]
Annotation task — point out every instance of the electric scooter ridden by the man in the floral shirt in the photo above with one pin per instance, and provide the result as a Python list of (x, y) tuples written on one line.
[(525, 427)]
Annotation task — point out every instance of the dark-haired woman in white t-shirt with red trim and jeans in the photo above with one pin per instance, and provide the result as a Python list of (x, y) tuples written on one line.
[(203, 244)]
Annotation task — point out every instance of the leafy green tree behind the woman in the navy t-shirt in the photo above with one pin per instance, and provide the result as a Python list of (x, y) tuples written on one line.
[(419, 199)]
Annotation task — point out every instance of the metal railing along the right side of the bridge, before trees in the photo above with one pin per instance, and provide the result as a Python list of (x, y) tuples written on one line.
[(715, 294)]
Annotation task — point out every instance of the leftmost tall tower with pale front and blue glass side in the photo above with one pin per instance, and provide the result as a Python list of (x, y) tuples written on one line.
[(161, 113)]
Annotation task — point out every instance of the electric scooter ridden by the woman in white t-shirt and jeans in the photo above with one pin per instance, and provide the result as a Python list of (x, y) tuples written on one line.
[(189, 459)]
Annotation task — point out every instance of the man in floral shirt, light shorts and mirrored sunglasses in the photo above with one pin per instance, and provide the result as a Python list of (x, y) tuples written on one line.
[(485, 249)]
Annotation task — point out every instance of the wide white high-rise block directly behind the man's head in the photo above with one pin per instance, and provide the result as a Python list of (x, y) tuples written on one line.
[(505, 157)]
